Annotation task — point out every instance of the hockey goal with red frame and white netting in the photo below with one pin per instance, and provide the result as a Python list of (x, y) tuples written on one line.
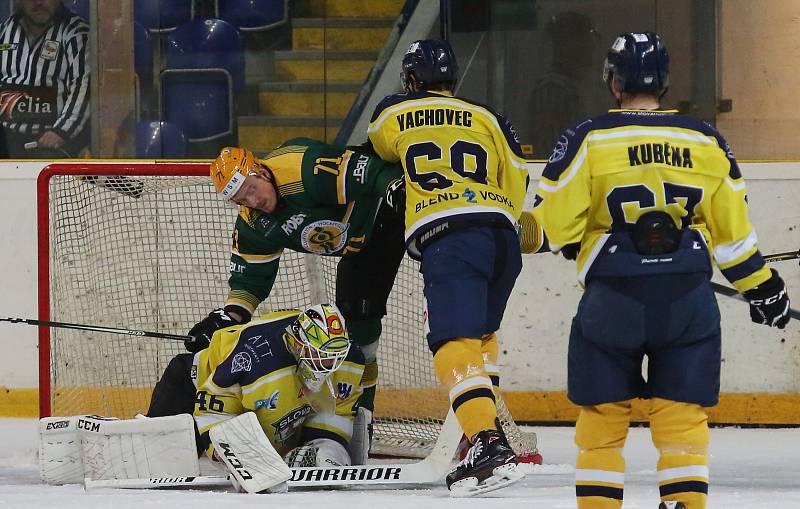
[(145, 246)]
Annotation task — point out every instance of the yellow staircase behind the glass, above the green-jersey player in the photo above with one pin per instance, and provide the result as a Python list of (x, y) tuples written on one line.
[(312, 87)]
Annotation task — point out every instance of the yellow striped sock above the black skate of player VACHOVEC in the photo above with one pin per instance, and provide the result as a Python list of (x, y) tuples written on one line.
[(459, 366)]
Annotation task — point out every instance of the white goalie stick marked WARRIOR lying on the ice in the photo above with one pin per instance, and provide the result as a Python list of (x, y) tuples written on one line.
[(431, 470)]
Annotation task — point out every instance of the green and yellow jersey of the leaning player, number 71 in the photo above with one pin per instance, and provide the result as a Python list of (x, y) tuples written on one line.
[(329, 199)]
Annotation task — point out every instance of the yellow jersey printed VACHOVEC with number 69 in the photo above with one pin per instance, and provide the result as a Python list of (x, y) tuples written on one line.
[(462, 162)]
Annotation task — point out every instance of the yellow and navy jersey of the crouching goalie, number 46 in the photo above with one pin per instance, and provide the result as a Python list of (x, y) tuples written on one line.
[(247, 368)]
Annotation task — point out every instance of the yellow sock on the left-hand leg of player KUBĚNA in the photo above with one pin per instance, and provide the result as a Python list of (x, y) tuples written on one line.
[(600, 435)]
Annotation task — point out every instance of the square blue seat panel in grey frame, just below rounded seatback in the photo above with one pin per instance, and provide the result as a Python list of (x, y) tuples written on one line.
[(200, 101)]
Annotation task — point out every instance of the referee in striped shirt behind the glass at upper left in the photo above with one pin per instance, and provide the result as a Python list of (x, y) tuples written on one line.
[(44, 80)]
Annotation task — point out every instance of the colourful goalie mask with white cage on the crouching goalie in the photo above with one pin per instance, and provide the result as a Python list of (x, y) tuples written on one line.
[(319, 342)]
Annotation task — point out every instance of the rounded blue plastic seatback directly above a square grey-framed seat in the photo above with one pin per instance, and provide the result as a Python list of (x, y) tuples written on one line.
[(207, 43)]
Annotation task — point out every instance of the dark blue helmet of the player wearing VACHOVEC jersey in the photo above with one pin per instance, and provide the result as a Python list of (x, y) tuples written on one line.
[(430, 61)]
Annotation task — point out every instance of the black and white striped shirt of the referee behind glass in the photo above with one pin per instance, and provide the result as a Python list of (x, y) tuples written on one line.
[(55, 62)]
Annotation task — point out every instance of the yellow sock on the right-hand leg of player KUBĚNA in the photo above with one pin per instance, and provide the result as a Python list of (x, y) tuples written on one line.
[(680, 433)]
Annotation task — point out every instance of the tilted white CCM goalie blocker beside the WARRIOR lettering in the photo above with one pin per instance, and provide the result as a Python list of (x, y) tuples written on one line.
[(240, 443)]
